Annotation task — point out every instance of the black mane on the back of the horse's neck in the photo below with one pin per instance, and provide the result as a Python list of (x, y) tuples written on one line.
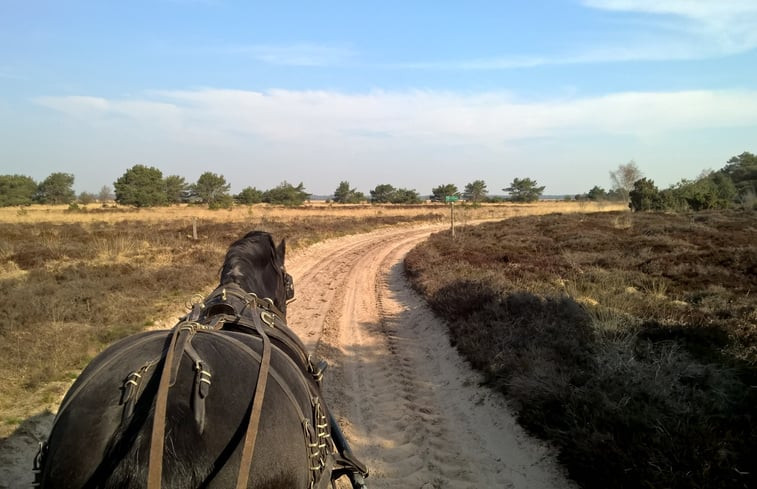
[(249, 253)]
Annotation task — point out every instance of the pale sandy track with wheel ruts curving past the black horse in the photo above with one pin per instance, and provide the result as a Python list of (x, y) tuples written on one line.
[(412, 409)]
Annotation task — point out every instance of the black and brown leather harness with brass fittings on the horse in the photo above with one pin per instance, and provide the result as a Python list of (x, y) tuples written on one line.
[(223, 310)]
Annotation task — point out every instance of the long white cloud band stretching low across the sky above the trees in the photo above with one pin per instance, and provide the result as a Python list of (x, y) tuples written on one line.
[(322, 118)]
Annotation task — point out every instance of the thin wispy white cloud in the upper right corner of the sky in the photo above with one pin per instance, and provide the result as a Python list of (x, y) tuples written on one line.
[(669, 30)]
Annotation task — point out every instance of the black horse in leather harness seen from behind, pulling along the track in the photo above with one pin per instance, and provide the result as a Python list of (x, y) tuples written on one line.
[(227, 398)]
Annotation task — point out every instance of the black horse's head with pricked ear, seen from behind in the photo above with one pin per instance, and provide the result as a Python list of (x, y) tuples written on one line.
[(256, 264)]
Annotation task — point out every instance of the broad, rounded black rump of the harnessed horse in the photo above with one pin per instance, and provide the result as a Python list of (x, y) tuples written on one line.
[(101, 437)]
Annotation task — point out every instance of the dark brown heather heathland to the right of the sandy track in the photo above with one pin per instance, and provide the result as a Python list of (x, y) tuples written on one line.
[(627, 340)]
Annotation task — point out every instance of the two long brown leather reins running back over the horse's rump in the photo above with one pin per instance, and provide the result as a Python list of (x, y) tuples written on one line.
[(157, 439)]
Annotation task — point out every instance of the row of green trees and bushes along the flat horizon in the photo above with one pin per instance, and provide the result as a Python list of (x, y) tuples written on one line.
[(144, 186)]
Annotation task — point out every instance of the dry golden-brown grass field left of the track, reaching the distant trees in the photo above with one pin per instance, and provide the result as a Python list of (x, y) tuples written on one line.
[(73, 282)]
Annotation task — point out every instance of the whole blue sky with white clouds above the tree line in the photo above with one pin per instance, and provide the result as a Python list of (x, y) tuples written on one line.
[(411, 93)]
